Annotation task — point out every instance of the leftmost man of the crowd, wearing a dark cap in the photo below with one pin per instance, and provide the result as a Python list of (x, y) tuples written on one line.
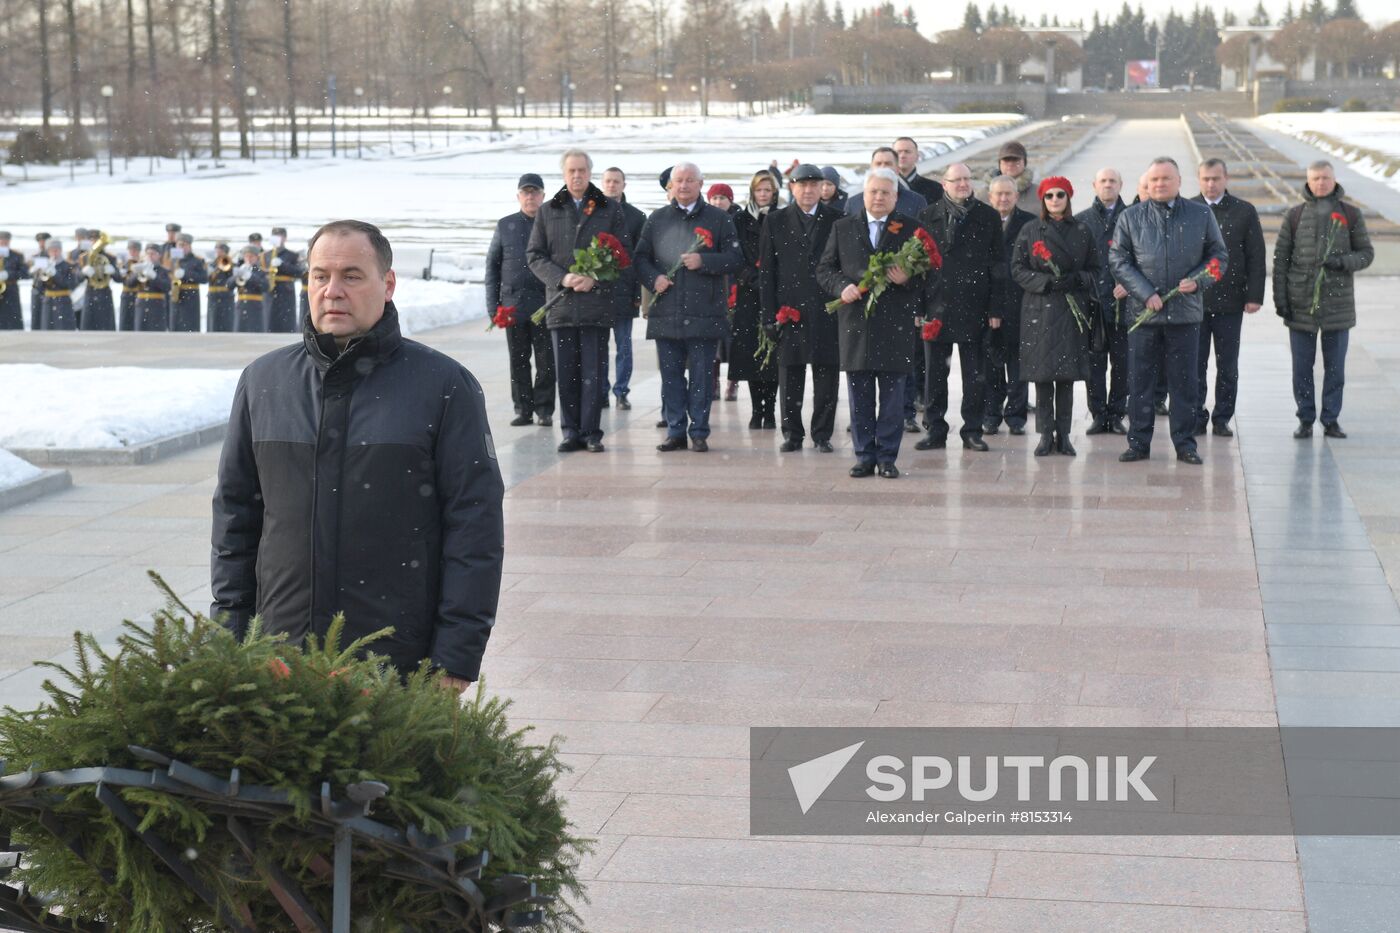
[(512, 285)]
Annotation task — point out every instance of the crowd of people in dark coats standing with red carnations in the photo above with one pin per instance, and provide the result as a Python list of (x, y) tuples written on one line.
[(1130, 299)]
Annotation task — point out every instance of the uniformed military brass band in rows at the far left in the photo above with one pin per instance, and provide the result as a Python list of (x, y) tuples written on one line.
[(160, 285)]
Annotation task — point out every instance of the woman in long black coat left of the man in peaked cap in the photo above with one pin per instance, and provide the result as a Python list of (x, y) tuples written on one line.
[(748, 319)]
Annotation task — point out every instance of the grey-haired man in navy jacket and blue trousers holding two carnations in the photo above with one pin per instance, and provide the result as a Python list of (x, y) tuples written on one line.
[(689, 316)]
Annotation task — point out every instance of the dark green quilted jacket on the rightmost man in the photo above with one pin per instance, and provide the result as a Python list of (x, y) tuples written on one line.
[(1298, 257)]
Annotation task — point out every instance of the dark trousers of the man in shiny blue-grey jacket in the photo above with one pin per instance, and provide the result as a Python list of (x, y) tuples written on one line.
[(1147, 345)]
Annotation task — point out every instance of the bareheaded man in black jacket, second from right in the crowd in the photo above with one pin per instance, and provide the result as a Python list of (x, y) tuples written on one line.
[(1241, 291)]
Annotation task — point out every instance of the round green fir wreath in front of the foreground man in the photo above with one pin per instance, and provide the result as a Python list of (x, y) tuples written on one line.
[(288, 719)]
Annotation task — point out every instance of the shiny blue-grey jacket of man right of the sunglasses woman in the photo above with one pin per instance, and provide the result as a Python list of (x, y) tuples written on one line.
[(1156, 247)]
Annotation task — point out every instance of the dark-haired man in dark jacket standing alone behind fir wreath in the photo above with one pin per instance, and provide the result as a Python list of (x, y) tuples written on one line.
[(359, 477)]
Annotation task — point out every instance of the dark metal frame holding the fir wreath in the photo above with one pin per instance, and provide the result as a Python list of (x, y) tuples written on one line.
[(471, 904)]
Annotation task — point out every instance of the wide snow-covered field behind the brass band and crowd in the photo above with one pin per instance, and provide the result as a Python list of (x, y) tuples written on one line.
[(450, 197)]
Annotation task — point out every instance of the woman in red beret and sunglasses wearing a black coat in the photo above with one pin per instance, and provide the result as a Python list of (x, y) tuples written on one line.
[(1055, 260)]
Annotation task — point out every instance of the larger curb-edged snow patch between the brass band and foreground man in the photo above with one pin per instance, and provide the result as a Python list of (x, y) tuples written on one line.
[(108, 407)]
